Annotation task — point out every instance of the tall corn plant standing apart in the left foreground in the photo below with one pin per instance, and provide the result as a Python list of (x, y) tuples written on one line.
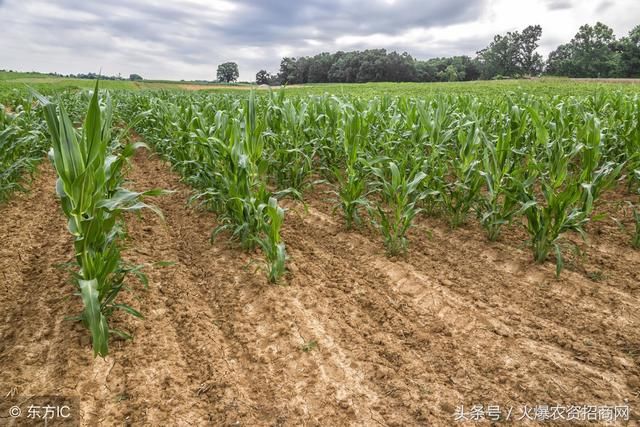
[(93, 201)]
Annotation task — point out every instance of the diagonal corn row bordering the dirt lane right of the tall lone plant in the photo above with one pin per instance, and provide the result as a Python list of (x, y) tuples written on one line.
[(218, 147)]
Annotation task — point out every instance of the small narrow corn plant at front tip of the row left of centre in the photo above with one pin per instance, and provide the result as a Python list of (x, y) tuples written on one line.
[(270, 241)]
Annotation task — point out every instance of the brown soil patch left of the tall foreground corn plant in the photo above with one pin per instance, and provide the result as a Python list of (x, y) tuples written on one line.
[(40, 352)]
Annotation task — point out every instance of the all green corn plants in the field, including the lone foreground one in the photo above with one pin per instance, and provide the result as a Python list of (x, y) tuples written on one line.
[(539, 163)]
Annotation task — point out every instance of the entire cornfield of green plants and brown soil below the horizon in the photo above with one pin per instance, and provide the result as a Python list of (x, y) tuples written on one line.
[(322, 254)]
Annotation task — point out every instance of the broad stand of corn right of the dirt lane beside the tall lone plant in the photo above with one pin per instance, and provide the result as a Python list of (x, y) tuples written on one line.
[(539, 162)]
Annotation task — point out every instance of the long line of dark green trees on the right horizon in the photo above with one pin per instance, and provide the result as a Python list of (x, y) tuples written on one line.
[(593, 52)]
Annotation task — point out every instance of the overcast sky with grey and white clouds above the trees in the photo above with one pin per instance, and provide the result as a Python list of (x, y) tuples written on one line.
[(186, 39)]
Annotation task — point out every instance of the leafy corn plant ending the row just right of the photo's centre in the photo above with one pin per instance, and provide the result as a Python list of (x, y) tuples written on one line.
[(400, 192)]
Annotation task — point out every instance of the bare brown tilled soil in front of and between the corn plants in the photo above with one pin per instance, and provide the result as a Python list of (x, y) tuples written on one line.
[(352, 338)]
